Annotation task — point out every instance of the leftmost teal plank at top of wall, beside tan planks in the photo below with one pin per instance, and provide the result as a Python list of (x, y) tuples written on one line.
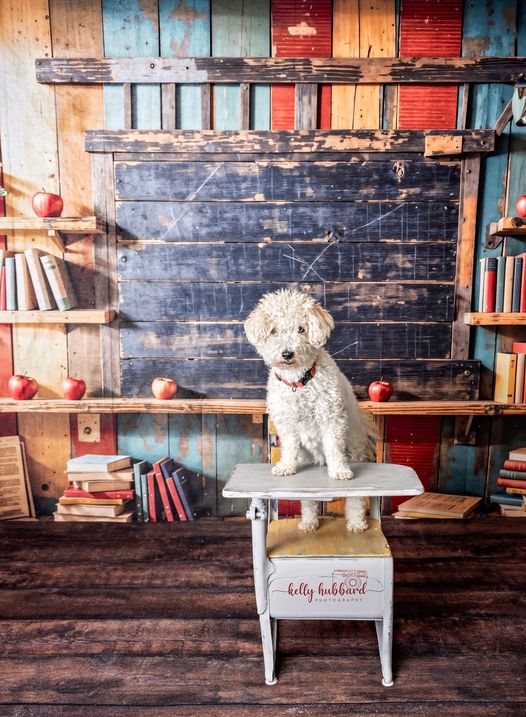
[(131, 29)]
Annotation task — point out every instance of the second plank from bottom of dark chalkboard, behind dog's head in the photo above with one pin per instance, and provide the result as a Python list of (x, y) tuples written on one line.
[(161, 339)]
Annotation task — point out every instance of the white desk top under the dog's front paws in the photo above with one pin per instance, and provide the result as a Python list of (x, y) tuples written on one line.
[(255, 480)]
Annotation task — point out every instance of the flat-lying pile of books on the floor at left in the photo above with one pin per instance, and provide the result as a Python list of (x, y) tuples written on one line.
[(100, 488)]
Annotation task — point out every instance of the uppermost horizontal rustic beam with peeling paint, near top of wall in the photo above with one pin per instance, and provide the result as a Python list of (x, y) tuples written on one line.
[(235, 70)]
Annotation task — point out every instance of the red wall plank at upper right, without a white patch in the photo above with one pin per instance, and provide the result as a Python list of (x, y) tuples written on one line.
[(429, 27)]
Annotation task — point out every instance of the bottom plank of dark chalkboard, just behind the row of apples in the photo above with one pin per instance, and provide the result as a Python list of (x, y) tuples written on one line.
[(247, 378)]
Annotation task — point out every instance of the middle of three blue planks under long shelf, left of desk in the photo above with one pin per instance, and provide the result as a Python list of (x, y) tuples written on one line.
[(193, 444)]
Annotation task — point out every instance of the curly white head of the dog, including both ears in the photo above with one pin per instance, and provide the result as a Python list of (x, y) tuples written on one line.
[(287, 328)]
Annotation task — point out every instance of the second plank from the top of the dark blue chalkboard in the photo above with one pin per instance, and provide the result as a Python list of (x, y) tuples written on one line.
[(248, 222)]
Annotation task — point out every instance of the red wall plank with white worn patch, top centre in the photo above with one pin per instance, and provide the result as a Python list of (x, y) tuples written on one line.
[(300, 28)]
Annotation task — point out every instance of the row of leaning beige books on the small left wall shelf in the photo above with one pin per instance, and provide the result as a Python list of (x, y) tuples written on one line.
[(32, 280)]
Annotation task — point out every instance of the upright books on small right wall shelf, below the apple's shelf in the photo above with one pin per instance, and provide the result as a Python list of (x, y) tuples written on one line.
[(503, 284)]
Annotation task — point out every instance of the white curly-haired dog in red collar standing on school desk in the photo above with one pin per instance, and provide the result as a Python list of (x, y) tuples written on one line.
[(309, 400)]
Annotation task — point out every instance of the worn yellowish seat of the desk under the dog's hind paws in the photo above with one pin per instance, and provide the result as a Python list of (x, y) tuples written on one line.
[(332, 539)]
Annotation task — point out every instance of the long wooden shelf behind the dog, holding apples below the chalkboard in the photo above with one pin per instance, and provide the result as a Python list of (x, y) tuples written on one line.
[(249, 406)]
